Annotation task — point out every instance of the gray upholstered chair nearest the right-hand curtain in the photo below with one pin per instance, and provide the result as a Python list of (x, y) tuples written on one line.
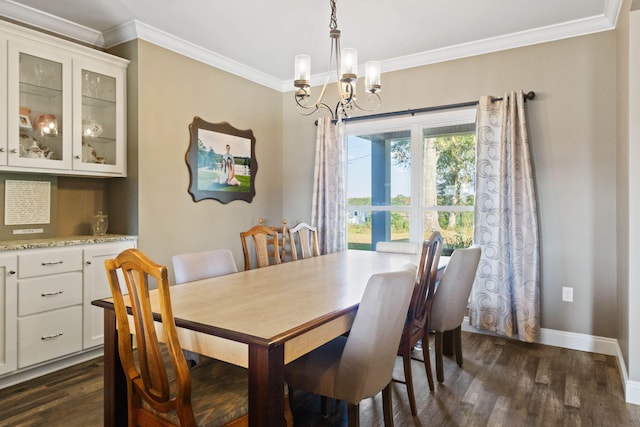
[(451, 300)]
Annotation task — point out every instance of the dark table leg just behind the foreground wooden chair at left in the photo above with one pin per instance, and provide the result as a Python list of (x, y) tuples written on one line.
[(115, 386)]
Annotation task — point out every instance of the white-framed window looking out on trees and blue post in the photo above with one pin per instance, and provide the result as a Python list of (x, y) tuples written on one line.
[(410, 176)]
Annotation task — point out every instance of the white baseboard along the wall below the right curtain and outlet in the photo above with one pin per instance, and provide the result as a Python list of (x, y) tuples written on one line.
[(582, 342)]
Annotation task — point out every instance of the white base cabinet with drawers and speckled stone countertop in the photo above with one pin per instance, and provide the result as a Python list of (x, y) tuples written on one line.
[(45, 311)]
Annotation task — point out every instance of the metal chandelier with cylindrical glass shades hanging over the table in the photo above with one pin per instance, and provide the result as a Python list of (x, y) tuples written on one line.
[(346, 63)]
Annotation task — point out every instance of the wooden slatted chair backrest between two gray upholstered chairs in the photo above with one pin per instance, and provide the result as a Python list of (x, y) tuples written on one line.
[(425, 284)]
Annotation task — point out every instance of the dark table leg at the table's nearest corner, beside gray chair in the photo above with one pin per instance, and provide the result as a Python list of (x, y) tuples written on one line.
[(266, 385)]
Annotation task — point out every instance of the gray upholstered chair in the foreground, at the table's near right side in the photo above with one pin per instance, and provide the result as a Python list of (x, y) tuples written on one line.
[(361, 365)]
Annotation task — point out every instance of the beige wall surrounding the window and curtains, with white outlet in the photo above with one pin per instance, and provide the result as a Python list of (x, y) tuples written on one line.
[(573, 139)]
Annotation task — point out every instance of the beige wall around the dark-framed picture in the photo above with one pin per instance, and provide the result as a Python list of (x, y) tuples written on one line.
[(171, 90)]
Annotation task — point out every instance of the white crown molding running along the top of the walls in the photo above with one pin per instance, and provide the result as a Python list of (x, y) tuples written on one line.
[(135, 29)]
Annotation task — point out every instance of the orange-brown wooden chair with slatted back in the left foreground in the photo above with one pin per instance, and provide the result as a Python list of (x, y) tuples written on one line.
[(214, 393)]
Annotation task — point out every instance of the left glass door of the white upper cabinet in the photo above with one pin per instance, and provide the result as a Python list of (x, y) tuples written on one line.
[(39, 108)]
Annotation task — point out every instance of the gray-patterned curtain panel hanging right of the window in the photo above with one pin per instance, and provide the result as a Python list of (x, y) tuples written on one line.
[(506, 294)]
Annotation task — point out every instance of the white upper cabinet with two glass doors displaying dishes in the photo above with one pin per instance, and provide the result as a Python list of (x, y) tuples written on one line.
[(64, 109)]
